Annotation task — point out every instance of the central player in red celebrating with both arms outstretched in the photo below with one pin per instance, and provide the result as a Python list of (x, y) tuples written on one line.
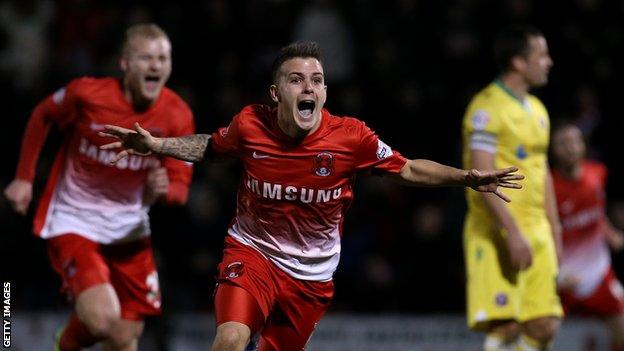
[(300, 162)]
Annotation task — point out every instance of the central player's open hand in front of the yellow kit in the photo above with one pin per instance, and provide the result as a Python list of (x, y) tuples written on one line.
[(490, 181)]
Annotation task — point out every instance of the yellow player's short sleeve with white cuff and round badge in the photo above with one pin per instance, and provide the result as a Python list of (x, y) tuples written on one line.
[(482, 128)]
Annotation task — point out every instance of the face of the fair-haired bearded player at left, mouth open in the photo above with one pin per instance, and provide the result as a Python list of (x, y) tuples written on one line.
[(146, 66)]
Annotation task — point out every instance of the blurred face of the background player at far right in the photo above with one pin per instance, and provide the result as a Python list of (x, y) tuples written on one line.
[(568, 146)]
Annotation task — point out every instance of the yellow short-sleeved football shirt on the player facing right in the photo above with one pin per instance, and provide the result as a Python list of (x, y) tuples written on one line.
[(517, 133)]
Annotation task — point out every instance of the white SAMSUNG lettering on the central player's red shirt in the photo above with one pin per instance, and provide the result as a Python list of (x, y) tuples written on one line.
[(292, 193)]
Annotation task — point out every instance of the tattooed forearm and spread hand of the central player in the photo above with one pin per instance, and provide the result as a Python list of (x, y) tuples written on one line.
[(140, 142)]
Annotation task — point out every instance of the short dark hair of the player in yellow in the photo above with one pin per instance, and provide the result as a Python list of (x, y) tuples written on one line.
[(513, 41)]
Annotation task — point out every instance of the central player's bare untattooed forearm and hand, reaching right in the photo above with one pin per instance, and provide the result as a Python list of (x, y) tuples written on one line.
[(429, 173)]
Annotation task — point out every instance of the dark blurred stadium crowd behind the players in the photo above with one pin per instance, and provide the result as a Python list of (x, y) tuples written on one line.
[(405, 67)]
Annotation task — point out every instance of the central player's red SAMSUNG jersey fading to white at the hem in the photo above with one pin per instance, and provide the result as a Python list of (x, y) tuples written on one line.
[(293, 196)]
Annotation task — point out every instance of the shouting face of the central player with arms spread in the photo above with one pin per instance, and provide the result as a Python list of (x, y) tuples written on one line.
[(300, 94)]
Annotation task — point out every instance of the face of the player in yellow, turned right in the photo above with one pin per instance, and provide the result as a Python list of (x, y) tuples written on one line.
[(538, 63)]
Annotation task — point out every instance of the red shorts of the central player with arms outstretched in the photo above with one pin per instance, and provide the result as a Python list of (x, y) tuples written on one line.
[(253, 291)]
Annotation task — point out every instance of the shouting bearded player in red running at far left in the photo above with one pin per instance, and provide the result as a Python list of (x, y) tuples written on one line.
[(94, 214)]
